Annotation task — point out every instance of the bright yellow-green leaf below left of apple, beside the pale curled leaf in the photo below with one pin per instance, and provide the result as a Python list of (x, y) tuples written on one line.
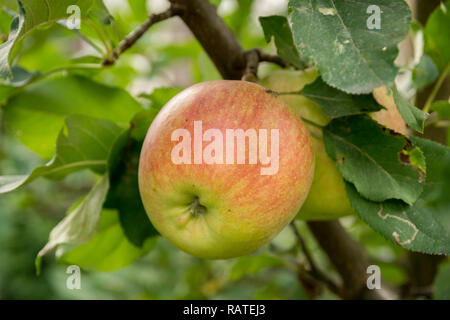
[(109, 249)]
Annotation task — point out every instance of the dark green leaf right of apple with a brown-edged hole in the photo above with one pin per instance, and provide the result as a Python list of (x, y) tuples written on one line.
[(373, 158)]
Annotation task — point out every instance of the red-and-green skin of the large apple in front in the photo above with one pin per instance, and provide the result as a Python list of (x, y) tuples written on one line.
[(242, 208)]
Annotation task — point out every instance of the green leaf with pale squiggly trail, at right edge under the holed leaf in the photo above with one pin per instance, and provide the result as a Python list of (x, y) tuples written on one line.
[(425, 226)]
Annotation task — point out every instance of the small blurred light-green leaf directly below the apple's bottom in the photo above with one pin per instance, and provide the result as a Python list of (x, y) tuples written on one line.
[(250, 265)]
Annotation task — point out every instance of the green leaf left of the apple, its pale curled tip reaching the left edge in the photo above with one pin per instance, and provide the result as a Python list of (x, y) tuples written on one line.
[(87, 145)]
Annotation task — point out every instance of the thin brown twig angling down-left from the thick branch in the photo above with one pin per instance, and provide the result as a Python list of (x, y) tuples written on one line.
[(136, 34)]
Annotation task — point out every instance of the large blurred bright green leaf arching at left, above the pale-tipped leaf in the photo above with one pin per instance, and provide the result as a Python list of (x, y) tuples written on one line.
[(36, 115)]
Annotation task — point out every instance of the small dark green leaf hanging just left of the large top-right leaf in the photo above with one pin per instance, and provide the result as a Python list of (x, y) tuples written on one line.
[(277, 27)]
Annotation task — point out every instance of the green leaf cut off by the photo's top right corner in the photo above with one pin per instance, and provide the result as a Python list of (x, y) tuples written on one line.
[(437, 33)]
